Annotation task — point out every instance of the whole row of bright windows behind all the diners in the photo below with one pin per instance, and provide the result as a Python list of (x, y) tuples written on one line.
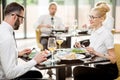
[(68, 11)]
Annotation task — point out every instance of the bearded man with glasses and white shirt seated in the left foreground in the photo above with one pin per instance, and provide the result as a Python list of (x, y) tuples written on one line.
[(9, 67)]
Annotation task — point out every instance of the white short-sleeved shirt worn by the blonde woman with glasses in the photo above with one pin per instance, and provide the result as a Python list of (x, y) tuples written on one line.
[(101, 40)]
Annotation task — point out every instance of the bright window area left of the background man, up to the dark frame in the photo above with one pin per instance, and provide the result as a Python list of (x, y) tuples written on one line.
[(34, 9)]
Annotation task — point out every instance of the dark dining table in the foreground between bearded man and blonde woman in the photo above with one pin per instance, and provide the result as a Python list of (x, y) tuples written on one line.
[(61, 63)]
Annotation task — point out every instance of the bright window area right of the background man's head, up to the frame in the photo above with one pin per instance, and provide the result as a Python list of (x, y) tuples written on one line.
[(66, 11)]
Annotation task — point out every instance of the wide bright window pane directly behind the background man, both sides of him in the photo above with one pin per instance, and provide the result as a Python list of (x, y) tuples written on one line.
[(66, 11)]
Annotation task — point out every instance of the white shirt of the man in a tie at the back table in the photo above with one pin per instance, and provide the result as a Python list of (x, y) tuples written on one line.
[(46, 20)]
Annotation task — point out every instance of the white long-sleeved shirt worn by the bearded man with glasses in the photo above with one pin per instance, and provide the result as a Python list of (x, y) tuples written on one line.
[(9, 67)]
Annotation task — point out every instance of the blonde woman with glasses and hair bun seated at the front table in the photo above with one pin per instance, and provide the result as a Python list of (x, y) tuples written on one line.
[(101, 47)]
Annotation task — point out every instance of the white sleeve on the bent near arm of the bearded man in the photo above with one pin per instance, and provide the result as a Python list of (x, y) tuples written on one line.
[(9, 57)]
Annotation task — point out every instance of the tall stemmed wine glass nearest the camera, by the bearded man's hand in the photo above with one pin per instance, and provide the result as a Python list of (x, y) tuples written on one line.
[(52, 47)]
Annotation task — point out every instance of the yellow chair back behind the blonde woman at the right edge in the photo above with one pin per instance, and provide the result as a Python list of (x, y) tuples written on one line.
[(117, 52)]
